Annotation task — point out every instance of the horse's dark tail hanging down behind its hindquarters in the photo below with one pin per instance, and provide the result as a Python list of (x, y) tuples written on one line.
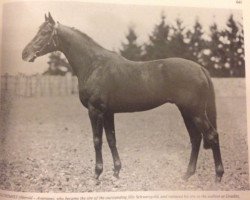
[(211, 106)]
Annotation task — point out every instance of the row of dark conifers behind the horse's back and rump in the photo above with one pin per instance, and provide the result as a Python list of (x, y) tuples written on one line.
[(221, 52)]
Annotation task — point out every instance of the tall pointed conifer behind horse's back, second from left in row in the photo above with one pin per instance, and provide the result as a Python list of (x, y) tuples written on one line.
[(158, 46)]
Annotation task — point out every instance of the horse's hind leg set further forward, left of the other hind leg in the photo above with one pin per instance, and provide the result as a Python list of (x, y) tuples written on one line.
[(195, 138)]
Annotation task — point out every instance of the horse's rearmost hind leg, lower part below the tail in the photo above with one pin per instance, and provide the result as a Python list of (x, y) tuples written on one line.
[(211, 137)]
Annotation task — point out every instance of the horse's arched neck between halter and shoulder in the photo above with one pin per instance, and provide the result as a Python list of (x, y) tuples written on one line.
[(80, 50)]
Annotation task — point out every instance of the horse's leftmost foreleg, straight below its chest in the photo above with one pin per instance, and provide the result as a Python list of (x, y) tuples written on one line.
[(96, 118)]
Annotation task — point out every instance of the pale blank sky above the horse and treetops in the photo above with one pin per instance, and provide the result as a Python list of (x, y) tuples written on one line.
[(107, 24)]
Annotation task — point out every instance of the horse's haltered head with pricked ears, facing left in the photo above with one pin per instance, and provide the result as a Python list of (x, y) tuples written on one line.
[(44, 42)]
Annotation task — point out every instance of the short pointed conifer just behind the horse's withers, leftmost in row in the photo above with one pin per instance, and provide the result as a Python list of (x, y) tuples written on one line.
[(131, 50)]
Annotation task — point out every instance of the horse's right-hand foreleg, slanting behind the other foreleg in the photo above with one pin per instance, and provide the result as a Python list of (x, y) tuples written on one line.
[(110, 134)]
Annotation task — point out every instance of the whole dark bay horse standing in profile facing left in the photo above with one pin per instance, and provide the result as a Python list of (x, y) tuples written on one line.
[(109, 83)]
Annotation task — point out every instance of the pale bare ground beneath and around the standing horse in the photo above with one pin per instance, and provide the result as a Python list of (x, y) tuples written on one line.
[(47, 146)]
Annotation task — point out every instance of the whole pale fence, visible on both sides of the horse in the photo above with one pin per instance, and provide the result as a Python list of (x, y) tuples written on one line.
[(45, 85)]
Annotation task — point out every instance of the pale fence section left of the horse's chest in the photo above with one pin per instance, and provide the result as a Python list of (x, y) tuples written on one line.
[(38, 85)]
